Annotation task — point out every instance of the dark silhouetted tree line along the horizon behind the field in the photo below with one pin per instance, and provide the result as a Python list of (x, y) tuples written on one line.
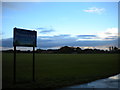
[(69, 50)]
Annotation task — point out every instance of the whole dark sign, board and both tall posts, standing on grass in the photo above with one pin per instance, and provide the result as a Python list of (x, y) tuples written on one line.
[(25, 38)]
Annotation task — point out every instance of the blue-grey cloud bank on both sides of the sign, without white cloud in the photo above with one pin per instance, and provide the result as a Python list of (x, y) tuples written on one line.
[(52, 41)]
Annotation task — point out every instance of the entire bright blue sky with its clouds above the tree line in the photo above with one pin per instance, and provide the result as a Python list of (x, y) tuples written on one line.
[(78, 24)]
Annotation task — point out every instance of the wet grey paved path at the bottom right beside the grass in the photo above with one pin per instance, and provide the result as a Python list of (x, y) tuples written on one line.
[(111, 82)]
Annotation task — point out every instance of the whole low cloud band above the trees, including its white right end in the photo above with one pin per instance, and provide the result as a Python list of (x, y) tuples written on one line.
[(97, 40)]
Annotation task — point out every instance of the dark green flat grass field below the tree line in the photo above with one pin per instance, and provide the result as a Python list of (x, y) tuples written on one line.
[(58, 70)]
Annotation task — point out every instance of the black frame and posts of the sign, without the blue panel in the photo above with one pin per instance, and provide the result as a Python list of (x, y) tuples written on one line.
[(14, 45)]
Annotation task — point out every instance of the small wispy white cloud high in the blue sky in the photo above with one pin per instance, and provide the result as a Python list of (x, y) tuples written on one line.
[(94, 10)]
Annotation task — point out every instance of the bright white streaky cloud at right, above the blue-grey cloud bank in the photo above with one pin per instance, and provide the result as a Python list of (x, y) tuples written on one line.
[(108, 34)]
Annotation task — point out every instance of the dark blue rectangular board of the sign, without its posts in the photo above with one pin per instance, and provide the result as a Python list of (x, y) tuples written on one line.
[(24, 37)]
